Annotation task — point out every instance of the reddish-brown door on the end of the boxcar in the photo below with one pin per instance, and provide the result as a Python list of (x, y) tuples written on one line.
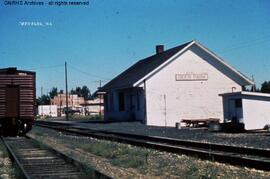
[(12, 101)]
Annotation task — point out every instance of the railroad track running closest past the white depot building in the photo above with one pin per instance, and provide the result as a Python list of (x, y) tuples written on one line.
[(243, 156)]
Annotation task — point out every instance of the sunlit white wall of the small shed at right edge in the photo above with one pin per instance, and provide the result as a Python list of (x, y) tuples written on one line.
[(256, 112)]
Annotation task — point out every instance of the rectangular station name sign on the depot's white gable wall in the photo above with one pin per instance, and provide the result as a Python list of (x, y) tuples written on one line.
[(191, 77)]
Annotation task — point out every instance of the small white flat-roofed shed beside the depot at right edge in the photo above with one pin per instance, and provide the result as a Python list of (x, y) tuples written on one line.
[(249, 108)]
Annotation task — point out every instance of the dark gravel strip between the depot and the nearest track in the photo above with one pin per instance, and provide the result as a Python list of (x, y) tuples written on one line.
[(255, 140)]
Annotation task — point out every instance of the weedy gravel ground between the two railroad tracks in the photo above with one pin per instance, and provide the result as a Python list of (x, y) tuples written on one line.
[(125, 161)]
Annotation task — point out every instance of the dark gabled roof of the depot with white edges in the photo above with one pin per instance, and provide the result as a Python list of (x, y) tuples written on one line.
[(145, 68)]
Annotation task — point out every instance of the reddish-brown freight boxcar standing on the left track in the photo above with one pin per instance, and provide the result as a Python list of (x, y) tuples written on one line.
[(17, 101)]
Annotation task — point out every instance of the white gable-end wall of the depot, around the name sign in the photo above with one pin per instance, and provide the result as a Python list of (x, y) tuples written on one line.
[(187, 99)]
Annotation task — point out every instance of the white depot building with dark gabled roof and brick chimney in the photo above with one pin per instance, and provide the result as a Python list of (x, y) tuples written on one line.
[(183, 82)]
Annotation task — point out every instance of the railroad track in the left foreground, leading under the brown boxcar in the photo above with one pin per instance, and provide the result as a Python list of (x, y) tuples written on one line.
[(37, 161)]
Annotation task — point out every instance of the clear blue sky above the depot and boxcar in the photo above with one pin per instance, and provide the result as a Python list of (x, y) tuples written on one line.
[(101, 40)]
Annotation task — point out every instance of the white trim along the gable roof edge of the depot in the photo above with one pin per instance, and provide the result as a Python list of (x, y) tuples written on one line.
[(184, 49)]
